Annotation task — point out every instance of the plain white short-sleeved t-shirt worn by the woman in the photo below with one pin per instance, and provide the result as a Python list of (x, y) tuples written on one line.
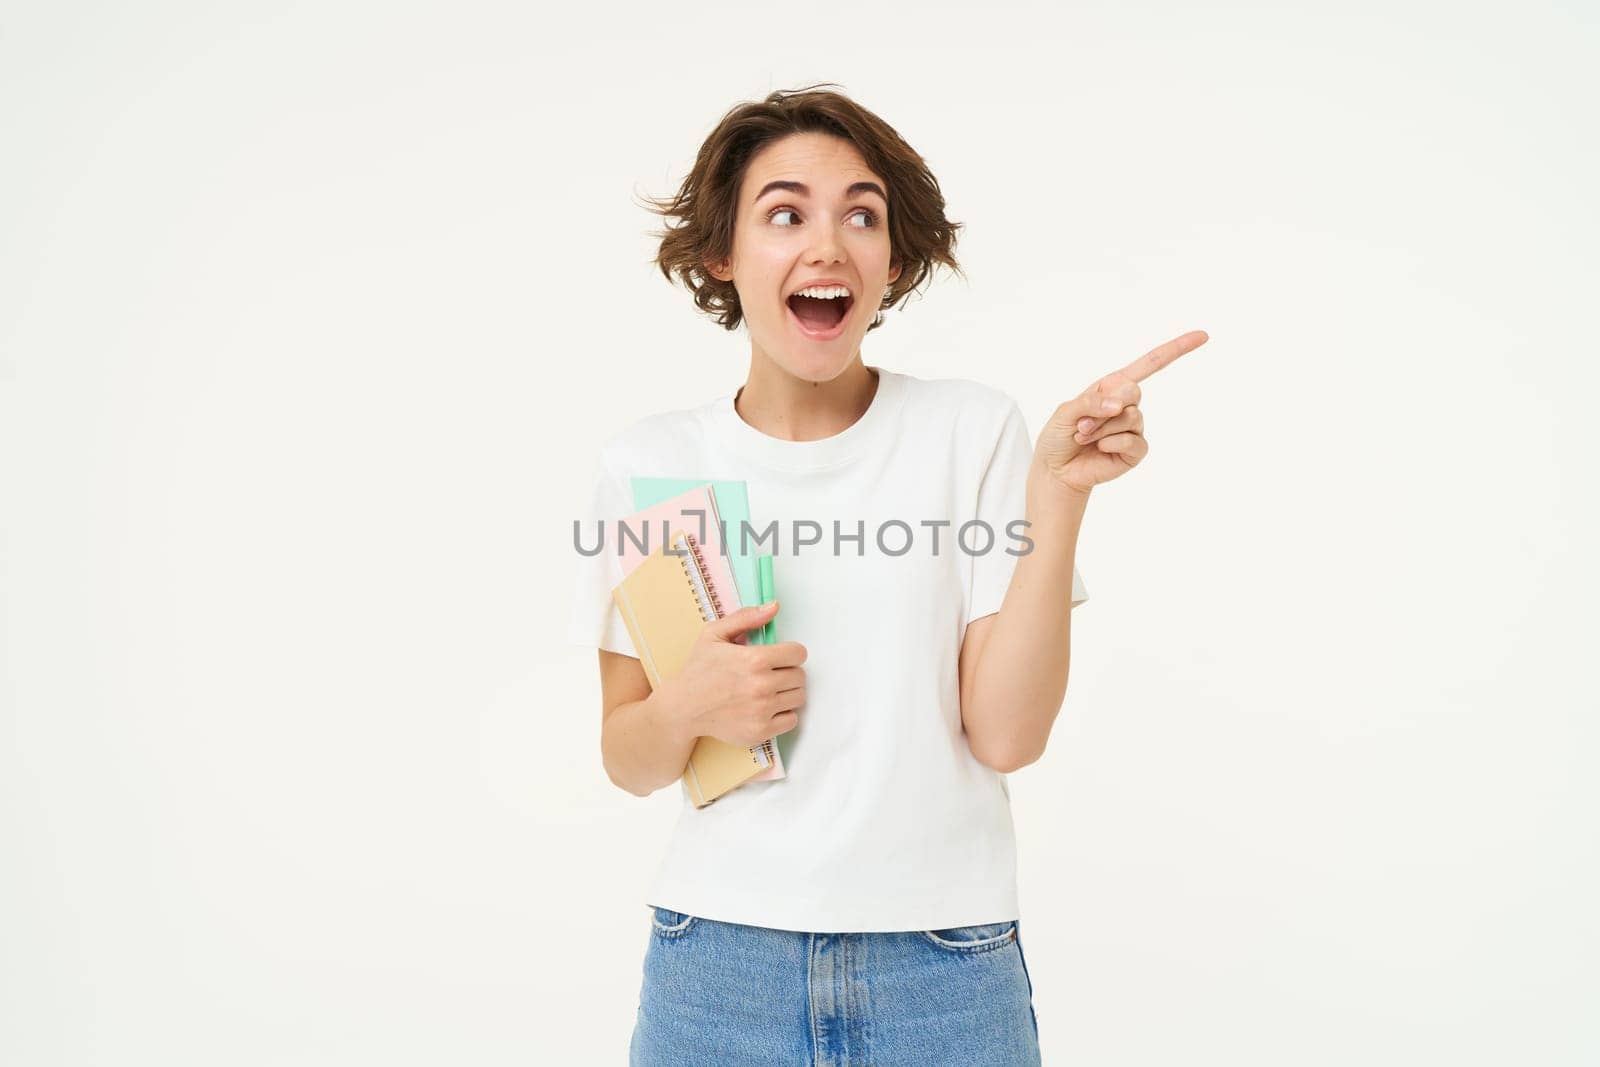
[(886, 820)]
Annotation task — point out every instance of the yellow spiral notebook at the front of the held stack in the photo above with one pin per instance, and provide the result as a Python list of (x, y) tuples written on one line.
[(665, 610)]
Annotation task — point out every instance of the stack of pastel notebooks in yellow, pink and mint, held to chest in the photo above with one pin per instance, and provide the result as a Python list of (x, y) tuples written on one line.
[(681, 573)]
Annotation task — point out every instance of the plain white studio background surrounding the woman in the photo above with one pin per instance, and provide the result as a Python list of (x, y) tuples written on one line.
[(313, 319)]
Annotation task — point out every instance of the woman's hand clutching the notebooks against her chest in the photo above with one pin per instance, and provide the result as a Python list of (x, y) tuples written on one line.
[(740, 693)]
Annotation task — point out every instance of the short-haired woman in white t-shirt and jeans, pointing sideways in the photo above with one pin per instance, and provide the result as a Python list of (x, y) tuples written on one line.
[(862, 909)]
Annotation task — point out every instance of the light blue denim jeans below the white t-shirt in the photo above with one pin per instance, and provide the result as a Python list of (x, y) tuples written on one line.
[(730, 996)]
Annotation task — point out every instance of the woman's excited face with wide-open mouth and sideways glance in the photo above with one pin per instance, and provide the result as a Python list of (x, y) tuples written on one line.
[(810, 212)]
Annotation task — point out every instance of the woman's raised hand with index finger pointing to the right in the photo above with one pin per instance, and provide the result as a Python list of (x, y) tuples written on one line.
[(1100, 434)]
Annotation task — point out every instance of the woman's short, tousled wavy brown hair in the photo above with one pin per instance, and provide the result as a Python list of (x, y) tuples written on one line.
[(708, 201)]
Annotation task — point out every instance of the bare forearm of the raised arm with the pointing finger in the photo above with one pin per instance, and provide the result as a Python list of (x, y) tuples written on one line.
[(1022, 674)]
